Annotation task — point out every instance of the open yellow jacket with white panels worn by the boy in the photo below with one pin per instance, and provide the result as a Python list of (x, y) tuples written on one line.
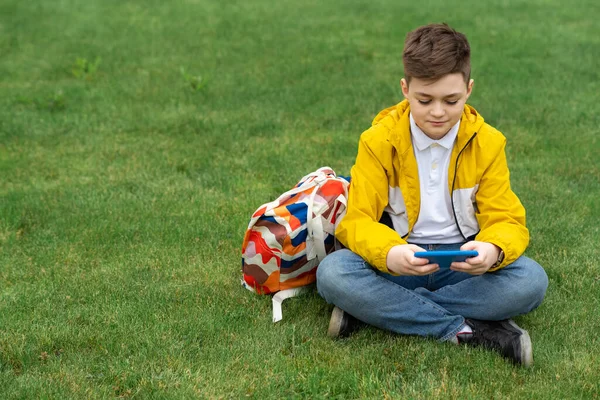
[(385, 178)]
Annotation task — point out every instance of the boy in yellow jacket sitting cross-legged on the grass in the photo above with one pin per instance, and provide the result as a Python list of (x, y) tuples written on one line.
[(430, 174)]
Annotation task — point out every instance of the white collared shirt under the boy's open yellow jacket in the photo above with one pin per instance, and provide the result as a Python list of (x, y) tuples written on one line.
[(435, 223)]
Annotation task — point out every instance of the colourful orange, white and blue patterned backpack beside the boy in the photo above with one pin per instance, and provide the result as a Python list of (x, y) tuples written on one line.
[(288, 237)]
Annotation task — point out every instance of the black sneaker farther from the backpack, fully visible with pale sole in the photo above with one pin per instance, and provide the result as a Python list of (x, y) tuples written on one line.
[(504, 337)]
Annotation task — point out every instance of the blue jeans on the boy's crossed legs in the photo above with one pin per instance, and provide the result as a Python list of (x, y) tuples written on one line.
[(434, 305)]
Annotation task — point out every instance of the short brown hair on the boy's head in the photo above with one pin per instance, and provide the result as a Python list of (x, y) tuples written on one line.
[(435, 50)]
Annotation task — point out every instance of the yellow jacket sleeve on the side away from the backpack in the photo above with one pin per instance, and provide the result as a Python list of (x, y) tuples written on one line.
[(500, 214)]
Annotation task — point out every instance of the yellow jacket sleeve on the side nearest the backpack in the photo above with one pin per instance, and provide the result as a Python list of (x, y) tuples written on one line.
[(360, 230)]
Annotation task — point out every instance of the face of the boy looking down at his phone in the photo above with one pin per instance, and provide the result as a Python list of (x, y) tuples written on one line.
[(437, 105)]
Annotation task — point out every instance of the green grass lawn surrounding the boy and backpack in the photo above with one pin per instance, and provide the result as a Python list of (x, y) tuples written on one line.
[(137, 137)]
